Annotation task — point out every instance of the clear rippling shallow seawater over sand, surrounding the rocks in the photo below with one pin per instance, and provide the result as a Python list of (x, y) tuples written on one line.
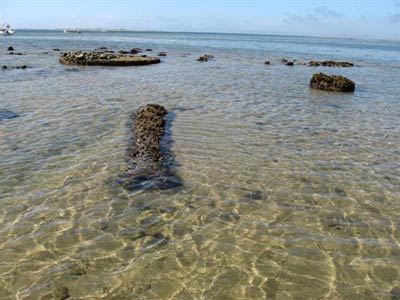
[(288, 193)]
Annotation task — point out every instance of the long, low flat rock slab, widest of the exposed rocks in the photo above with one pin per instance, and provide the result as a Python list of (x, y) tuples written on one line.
[(102, 59)]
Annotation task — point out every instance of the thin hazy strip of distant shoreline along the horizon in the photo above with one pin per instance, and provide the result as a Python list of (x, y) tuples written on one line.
[(105, 30)]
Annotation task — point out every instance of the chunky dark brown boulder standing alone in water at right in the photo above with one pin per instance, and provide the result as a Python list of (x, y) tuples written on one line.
[(332, 83)]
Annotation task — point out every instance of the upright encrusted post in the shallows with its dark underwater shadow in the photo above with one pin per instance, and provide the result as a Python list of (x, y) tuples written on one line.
[(151, 162)]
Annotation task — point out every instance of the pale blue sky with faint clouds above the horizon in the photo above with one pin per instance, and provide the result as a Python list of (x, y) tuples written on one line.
[(340, 18)]
